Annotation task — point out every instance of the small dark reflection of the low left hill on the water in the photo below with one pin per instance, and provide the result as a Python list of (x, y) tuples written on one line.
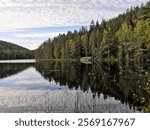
[(8, 69)]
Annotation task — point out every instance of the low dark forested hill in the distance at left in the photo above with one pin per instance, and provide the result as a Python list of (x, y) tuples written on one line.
[(12, 51)]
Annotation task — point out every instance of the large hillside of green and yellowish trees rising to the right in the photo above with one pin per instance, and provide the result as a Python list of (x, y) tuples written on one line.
[(124, 37)]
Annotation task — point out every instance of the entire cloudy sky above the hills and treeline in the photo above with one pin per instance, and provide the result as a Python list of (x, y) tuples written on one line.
[(30, 22)]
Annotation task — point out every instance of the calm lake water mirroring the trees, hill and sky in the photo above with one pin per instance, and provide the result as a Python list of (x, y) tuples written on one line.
[(29, 86)]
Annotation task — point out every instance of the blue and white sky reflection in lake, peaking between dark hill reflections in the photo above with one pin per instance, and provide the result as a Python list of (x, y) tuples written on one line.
[(28, 79)]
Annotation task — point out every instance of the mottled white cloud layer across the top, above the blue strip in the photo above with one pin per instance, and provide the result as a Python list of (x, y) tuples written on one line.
[(33, 13)]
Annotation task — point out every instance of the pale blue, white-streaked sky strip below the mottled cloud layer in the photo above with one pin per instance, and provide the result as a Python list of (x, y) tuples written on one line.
[(31, 38)]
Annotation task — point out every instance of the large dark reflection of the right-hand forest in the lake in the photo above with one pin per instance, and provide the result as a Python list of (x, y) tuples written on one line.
[(124, 82)]
